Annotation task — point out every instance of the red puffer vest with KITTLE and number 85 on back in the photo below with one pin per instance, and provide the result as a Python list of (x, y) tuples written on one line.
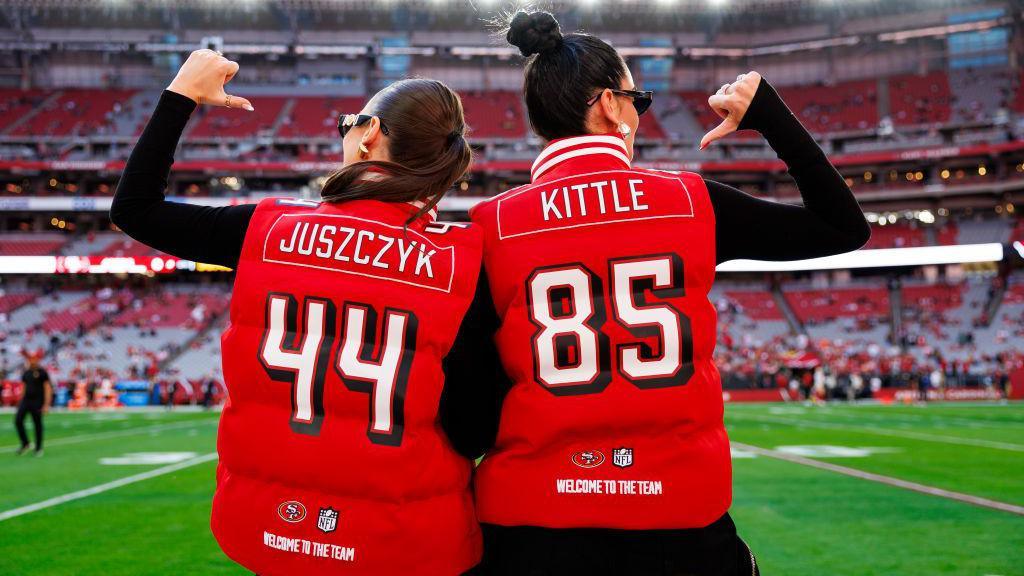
[(602, 273)]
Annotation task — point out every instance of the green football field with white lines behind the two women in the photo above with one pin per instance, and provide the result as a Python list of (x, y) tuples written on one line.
[(130, 492)]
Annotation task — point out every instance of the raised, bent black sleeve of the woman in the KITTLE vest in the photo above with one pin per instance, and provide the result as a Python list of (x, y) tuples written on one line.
[(831, 222)]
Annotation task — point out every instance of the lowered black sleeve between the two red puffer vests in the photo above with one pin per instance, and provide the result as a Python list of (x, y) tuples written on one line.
[(475, 380)]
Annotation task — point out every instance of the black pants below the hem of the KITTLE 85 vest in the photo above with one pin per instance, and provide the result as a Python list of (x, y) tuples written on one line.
[(529, 551)]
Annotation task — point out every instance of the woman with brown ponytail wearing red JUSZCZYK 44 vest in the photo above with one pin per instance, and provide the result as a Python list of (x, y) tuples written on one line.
[(356, 345)]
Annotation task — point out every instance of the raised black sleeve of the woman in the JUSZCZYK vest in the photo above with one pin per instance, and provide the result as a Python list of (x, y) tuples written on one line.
[(206, 234)]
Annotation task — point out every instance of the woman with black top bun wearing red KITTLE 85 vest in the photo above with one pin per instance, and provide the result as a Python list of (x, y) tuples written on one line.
[(612, 457)]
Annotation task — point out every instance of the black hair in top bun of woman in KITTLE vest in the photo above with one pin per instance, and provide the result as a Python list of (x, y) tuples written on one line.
[(563, 73)]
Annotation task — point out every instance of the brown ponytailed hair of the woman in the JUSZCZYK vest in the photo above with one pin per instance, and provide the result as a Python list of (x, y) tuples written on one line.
[(428, 147)]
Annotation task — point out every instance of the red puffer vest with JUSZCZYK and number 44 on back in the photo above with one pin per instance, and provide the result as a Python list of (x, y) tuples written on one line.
[(332, 459)]
